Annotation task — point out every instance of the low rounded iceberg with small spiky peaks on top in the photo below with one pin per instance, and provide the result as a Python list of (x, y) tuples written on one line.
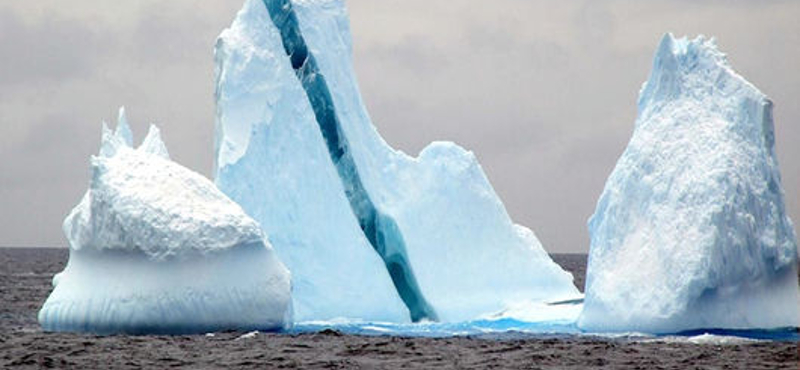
[(157, 248)]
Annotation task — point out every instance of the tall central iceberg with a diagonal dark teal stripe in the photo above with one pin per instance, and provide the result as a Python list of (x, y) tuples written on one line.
[(351, 216)]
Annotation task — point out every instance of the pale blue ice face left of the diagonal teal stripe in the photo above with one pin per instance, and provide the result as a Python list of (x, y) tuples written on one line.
[(272, 159)]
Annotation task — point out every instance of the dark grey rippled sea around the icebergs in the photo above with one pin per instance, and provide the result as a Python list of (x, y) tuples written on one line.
[(25, 276)]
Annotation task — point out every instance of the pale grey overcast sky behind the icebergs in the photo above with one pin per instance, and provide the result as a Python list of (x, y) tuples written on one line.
[(544, 92)]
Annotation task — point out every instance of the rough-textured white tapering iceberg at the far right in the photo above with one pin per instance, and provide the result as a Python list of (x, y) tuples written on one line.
[(691, 231)]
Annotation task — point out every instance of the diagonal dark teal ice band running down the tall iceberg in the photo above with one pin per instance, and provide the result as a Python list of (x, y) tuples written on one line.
[(381, 230)]
